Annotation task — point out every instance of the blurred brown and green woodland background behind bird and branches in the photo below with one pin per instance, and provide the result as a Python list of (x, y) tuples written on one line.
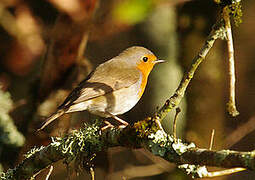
[(47, 47)]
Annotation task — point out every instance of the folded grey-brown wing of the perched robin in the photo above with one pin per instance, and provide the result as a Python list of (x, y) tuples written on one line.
[(103, 80)]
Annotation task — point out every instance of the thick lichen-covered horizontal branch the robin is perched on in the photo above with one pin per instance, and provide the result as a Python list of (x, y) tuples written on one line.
[(90, 140)]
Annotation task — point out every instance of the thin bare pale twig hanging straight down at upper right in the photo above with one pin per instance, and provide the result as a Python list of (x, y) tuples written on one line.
[(231, 105)]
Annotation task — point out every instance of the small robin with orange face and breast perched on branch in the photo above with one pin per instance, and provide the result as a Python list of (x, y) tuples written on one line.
[(113, 88)]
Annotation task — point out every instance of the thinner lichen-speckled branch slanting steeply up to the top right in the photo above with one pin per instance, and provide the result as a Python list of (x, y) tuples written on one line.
[(218, 31)]
